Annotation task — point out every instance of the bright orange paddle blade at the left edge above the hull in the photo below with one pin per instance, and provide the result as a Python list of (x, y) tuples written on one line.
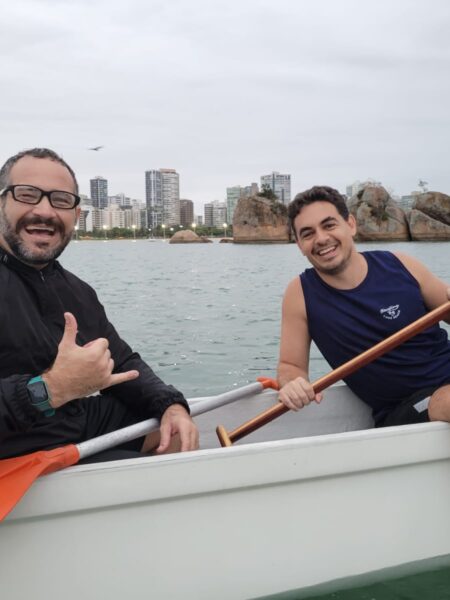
[(17, 474)]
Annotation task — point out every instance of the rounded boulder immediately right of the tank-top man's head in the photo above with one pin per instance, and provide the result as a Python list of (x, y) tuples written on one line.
[(378, 217)]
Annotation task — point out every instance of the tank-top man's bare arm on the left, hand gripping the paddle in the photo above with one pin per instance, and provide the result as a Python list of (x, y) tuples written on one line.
[(296, 391)]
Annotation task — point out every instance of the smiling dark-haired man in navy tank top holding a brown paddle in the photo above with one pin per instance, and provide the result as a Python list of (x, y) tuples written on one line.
[(348, 302)]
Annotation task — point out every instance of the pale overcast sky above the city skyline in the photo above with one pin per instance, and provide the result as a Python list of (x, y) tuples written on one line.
[(329, 91)]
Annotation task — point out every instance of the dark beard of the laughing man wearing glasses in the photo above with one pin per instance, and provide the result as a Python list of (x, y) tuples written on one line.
[(38, 254)]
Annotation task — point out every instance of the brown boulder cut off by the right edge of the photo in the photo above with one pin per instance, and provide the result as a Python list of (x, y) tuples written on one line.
[(429, 218)]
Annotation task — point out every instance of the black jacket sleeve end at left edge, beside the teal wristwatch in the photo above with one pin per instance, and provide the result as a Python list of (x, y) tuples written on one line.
[(17, 414)]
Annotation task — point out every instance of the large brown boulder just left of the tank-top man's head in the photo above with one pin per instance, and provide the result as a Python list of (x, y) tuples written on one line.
[(260, 220)]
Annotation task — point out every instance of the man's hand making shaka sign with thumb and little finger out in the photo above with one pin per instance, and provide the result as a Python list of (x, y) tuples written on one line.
[(80, 371)]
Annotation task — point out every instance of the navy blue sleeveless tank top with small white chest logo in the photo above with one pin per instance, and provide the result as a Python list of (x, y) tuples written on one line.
[(344, 323)]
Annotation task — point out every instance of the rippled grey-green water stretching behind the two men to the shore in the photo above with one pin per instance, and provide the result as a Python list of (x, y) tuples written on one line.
[(206, 317)]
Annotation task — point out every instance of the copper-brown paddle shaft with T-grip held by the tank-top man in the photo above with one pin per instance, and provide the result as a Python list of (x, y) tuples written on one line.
[(434, 316)]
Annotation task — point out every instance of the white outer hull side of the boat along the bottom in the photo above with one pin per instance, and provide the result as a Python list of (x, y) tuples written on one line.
[(235, 523)]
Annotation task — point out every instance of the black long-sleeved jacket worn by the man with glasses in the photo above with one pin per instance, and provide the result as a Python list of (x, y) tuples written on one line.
[(32, 306)]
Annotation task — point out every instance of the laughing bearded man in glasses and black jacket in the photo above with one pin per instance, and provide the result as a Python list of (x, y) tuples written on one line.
[(57, 347)]
